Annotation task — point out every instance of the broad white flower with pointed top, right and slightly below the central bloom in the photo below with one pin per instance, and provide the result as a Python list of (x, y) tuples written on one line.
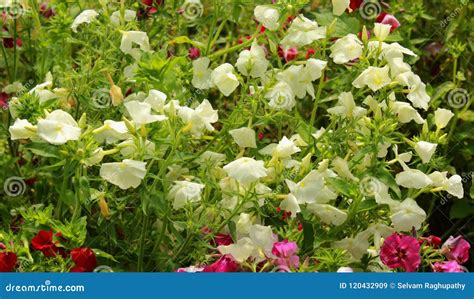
[(311, 189)]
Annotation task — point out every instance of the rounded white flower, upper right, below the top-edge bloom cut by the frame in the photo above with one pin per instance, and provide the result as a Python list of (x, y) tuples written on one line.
[(346, 49)]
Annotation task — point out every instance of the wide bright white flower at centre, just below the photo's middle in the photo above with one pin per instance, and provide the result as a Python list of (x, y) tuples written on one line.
[(246, 170)]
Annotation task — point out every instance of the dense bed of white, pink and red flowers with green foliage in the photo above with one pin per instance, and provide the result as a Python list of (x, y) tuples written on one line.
[(279, 136)]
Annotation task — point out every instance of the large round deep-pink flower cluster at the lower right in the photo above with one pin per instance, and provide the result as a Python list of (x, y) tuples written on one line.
[(401, 251)]
